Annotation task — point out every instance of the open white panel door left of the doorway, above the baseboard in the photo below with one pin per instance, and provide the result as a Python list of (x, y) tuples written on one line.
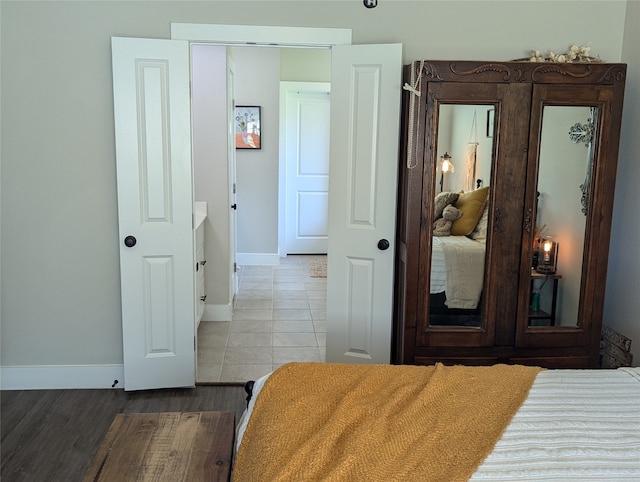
[(155, 211)]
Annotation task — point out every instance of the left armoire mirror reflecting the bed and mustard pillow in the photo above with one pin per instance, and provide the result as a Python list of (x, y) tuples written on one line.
[(458, 259)]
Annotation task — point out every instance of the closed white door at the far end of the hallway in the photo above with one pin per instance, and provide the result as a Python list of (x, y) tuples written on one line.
[(307, 171)]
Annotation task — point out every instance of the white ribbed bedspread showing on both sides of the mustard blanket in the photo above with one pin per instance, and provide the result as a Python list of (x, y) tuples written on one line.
[(575, 425)]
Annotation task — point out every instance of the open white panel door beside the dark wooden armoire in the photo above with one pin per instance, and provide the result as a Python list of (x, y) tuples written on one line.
[(365, 118)]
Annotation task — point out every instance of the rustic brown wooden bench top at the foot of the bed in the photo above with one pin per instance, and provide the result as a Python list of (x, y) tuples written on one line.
[(172, 446)]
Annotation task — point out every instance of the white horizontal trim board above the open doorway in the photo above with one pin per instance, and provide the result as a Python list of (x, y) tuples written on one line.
[(261, 35)]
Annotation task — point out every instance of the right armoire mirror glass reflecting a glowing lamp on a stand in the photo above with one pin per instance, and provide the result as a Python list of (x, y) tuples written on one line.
[(564, 173)]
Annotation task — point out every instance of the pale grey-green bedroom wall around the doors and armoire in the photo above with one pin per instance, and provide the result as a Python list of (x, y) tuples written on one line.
[(59, 246)]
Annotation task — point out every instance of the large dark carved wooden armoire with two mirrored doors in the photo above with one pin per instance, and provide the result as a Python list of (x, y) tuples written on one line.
[(546, 139)]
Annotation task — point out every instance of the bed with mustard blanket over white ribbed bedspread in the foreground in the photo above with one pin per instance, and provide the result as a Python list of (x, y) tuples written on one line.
[(569, 425)]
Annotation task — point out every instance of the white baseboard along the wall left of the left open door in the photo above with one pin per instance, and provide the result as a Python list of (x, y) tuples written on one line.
[(51, 377)]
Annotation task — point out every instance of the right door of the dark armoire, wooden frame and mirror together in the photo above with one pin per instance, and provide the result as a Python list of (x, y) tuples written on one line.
[(554, 285)]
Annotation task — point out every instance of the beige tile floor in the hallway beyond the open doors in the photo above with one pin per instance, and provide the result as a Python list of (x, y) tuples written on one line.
[(279, 316)]
